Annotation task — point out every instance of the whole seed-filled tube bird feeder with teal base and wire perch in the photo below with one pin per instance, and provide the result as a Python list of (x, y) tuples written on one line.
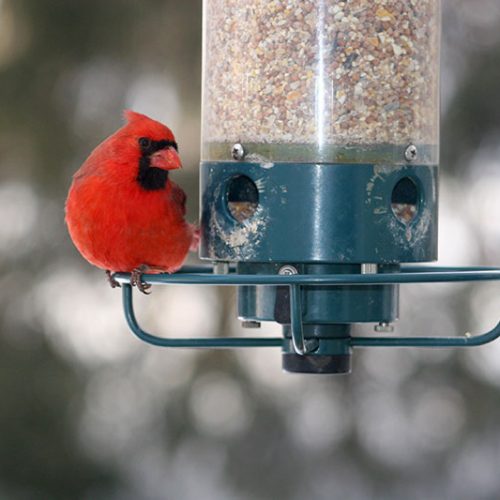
[(319, 172)]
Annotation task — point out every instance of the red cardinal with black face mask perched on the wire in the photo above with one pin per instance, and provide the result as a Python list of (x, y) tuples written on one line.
[(123, 212)]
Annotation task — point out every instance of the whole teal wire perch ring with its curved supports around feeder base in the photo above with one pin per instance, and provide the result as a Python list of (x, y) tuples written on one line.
[(301, 344)]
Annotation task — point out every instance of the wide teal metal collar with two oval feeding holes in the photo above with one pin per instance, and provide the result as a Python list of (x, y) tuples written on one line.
[(318, 213)]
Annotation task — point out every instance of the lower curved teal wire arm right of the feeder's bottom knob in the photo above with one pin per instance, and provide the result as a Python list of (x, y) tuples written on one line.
[(465, 341)]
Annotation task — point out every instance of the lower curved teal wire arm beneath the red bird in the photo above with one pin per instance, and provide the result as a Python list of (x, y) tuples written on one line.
[(216, 342)]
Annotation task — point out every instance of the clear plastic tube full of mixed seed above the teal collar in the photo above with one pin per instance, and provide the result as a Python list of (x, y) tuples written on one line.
[(321, 81)]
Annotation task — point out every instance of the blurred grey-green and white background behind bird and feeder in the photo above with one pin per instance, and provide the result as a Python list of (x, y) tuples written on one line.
[(89, 412)]
